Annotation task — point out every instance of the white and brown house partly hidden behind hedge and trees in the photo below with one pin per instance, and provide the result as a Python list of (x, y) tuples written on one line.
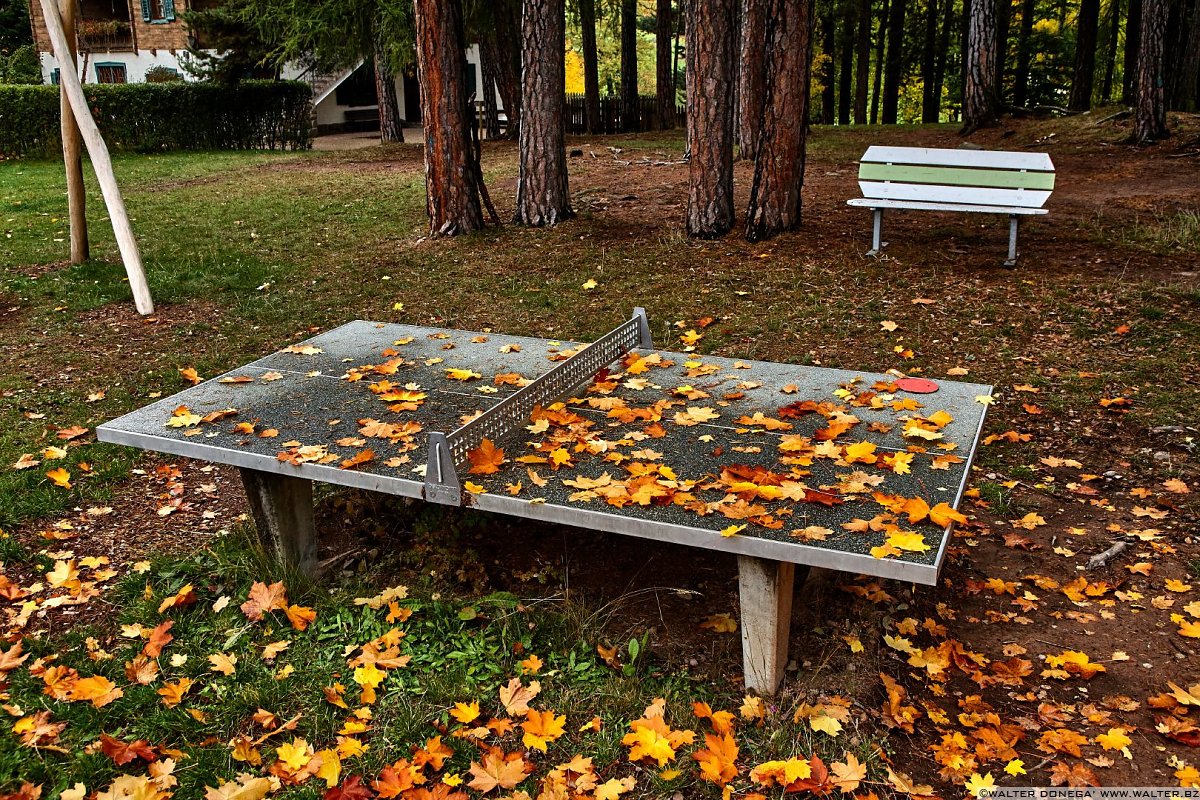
[(121, 40)]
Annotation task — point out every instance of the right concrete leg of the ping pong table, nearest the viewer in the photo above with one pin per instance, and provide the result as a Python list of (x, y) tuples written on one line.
[(765, 591)]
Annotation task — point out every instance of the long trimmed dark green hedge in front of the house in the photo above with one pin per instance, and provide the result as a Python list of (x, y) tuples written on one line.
[(151, 118)]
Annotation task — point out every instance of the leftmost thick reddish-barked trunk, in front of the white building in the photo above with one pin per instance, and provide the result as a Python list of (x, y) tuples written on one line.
[(452, 177)]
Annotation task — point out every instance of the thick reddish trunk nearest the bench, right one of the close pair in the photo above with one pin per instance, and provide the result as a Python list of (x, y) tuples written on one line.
[(779, 171)]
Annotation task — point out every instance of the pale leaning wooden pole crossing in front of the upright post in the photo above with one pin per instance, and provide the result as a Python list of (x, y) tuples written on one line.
[(69, 83)]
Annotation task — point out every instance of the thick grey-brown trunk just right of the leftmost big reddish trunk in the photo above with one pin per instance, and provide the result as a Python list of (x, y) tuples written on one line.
[(543, 195)]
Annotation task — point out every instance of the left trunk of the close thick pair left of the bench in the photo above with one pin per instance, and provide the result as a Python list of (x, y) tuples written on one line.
[(711, 53)]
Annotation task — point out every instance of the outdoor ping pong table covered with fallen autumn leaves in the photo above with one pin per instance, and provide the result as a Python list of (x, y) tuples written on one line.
[(783, 466)]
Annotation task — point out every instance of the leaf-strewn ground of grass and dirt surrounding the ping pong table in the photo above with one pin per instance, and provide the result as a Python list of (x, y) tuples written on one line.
[(377, 671)]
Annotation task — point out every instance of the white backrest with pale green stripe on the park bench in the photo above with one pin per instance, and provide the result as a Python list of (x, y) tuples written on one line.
[(970, 177)]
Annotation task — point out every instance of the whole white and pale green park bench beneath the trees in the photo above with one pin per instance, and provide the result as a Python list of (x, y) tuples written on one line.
[(975, 182)]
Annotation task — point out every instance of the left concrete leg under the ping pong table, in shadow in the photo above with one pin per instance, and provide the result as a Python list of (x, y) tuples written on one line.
[(283, 510)]
